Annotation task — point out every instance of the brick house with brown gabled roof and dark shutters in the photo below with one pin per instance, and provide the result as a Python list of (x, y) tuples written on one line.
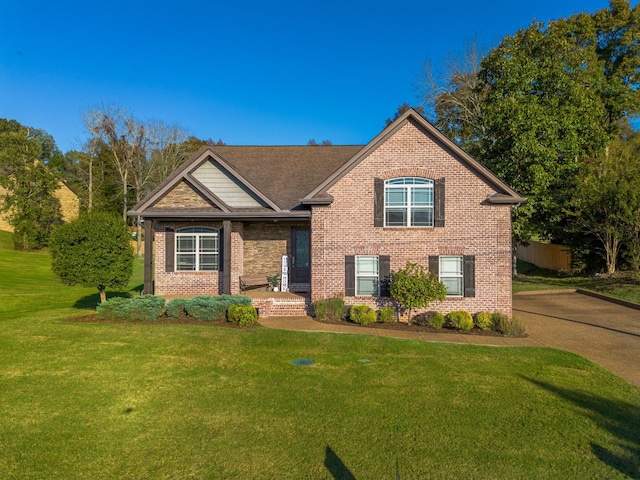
[(346, 216)]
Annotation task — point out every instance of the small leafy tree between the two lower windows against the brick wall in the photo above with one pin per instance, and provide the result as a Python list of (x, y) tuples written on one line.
[(416, 287)]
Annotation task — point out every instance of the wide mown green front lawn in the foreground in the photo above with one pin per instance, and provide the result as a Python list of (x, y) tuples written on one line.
[(94, 400)]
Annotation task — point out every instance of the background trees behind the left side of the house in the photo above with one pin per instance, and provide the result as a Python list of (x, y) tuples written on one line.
[(121, 161)]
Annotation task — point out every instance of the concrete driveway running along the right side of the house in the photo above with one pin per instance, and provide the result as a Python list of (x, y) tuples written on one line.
[(604, 332)]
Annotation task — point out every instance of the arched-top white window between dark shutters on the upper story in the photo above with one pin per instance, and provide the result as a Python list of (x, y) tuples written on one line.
[(408, 202)]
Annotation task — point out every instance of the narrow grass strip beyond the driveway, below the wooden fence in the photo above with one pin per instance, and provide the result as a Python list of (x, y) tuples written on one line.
[(623, 286)]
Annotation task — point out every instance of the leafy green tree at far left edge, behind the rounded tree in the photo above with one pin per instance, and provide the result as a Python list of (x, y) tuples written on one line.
[(29, 183)]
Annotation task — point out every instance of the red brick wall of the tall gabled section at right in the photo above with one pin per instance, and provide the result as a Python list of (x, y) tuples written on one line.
[(346, 226)]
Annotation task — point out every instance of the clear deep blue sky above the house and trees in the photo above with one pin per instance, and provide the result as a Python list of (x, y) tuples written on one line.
[(249, 72)]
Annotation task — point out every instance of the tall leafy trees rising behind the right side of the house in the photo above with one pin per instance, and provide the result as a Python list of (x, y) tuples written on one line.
[(551, 110)]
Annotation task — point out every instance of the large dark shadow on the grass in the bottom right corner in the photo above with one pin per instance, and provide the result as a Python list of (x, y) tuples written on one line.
[(620, 419)]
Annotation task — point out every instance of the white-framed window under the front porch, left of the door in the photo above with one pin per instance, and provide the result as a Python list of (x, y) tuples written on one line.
[(197, 249)]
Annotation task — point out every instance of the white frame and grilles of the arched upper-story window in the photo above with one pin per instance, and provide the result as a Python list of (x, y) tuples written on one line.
[(408, 187)]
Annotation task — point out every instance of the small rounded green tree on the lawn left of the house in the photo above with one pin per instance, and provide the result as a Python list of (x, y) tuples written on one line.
[(93, 250)]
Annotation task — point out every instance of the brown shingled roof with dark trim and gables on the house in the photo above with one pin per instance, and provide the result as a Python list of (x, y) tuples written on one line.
[(276, 181)]
